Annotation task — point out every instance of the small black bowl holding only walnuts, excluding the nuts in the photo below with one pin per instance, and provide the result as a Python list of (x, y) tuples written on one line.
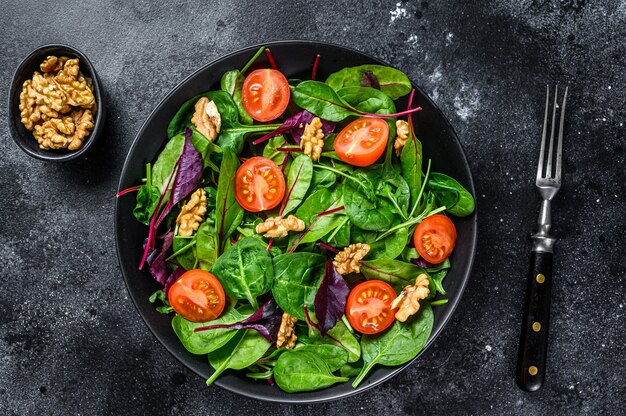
[(23, 137)]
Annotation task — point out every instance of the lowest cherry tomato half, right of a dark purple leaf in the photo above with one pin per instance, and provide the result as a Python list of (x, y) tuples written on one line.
[(369, 307)]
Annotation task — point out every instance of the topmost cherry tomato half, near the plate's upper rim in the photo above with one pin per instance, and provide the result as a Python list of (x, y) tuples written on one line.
[(265, 94)]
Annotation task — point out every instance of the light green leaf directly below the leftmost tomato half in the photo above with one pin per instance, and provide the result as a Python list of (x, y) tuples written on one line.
[(206, 341)]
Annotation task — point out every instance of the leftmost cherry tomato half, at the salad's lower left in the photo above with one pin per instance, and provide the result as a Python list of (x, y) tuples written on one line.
[(197, 296)]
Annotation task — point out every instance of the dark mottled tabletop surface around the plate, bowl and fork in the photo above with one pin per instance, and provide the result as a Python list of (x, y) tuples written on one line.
[(70, 340)]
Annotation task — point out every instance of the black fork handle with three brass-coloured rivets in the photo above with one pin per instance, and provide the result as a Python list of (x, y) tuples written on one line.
[(531, 360)]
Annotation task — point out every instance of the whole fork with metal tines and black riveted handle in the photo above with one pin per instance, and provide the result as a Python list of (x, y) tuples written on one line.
[(531, 363)]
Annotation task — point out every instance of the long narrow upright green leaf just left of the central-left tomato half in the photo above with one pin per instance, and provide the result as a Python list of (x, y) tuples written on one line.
[(228, 212)]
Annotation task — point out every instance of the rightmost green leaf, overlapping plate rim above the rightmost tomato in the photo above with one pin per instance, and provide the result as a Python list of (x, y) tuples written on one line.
[(457, 200)]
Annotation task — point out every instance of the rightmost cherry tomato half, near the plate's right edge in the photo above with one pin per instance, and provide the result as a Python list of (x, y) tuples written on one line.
[(435, 238)]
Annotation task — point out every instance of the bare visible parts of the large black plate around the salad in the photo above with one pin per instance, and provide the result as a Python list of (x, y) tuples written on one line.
[(440, 143)]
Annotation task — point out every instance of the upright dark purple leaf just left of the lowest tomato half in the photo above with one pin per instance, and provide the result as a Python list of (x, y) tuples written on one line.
[(330, 300)]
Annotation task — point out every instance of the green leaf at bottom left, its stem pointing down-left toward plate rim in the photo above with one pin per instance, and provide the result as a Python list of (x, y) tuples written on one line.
[(241, 351)]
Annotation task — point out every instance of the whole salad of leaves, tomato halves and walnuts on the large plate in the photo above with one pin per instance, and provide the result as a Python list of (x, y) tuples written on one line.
[(296, 227)]
